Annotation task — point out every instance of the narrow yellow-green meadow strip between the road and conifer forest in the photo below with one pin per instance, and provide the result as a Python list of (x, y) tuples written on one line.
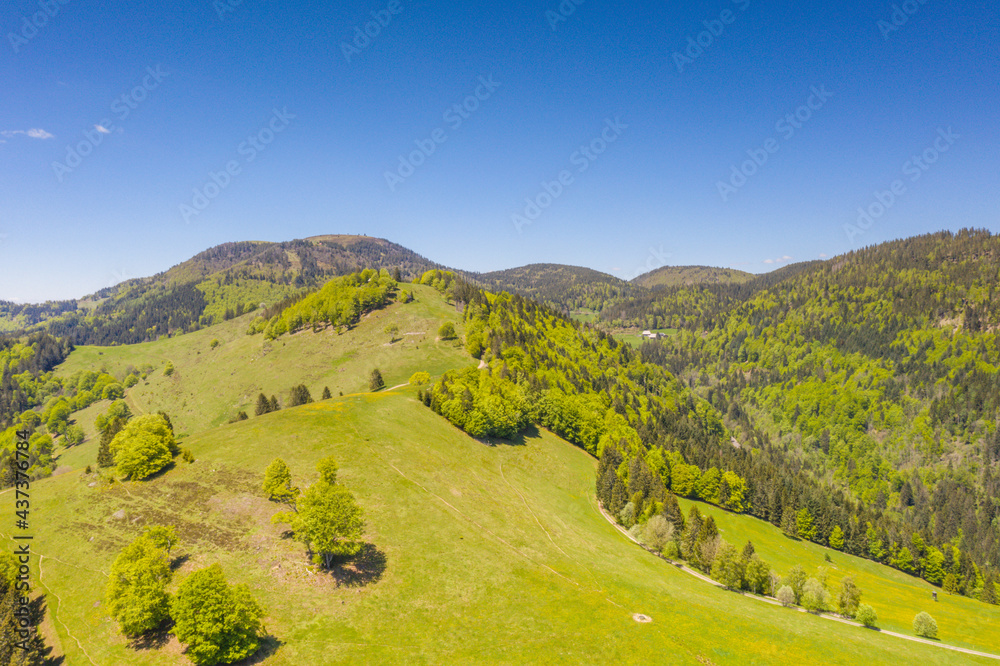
[(895, 596)]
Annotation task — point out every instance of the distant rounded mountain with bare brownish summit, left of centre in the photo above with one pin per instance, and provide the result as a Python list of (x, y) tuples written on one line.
[(217, 284)]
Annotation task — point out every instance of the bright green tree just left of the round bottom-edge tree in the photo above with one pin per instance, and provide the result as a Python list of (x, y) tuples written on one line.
[(136, 592)]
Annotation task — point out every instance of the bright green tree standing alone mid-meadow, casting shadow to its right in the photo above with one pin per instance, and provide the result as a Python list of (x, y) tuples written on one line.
[(328, 521)]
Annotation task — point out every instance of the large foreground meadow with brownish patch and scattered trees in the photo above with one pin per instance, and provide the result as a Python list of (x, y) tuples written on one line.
[(480, 555)]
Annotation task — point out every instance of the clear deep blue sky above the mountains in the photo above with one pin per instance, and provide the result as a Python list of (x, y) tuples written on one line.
[(70, 226)]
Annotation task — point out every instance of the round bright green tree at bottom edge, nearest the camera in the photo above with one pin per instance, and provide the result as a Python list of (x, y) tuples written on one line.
[(219, 623)]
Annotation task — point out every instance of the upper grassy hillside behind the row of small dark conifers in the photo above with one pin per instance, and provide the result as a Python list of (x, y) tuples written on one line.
[(209, 386)]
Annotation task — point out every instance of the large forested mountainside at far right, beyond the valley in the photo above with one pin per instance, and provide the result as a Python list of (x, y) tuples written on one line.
[(877, 371)]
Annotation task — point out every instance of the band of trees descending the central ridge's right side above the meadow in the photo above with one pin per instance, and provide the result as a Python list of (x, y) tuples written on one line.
[(582, 384)]
